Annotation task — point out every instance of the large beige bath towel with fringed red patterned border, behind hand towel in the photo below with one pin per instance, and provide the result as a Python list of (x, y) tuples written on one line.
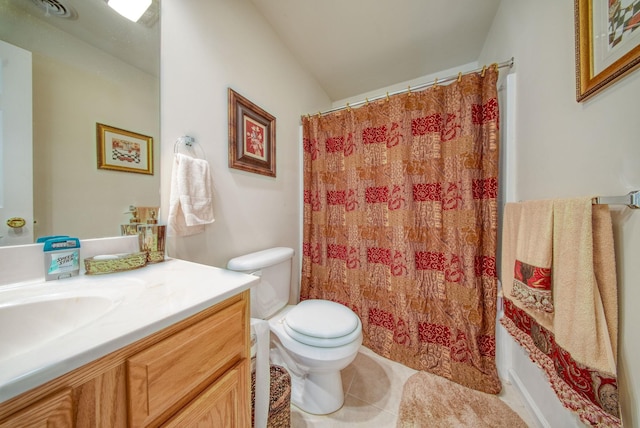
[(576, 344)]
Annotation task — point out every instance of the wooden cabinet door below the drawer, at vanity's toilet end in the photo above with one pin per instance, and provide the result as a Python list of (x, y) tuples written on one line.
[(223, 404)]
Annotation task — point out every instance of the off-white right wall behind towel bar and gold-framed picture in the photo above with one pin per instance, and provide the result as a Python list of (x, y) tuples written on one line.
[(567, 149)]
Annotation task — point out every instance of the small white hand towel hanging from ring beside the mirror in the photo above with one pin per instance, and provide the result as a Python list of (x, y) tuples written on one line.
[(190, 202)]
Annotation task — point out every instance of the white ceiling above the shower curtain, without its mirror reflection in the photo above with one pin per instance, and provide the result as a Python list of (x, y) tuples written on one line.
[(357, 46)]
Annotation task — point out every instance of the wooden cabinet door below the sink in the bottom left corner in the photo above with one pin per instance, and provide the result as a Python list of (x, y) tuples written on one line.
[(55, 411)]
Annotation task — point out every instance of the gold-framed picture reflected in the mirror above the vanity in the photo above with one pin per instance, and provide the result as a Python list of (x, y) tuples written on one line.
[(126, 151)]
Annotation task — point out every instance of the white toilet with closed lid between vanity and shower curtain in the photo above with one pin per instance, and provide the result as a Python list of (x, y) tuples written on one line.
[(313, 340)]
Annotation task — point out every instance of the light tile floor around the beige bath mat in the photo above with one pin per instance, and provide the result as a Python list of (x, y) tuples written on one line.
[(373, 388)]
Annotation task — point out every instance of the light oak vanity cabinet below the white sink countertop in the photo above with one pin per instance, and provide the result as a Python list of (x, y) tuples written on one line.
[(193, 373)]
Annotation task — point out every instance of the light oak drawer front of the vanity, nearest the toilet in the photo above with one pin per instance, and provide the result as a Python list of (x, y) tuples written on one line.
[(165, 376)]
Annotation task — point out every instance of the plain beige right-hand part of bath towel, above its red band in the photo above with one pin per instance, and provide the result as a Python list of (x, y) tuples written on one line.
[(578, 294)]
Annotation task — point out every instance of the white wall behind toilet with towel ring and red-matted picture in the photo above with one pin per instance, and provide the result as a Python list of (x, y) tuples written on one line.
[(208, 46)]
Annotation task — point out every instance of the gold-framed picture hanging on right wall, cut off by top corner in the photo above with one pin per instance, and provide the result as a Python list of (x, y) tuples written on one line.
[(607, 43)]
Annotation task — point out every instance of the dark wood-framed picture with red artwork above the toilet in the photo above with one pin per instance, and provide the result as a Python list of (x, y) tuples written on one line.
[(252, 137)]
